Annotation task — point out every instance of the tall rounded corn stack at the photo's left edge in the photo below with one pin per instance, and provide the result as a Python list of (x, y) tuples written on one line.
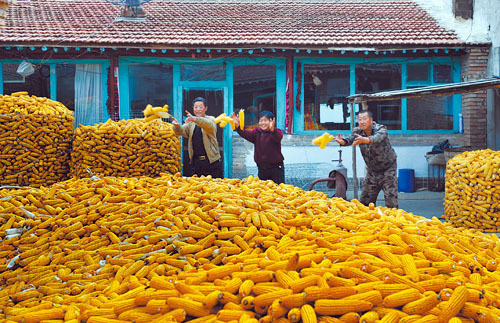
[(35, 140)]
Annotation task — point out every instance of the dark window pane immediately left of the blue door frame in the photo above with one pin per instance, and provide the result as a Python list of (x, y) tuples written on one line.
[(149, 84)]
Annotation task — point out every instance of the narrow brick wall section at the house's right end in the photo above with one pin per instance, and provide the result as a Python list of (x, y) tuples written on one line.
[(474, 67)]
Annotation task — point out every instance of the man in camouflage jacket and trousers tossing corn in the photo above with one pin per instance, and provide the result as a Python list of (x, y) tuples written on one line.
[(380, 159)]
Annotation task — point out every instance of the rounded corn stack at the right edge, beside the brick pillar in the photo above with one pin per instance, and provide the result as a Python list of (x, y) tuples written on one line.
[(472, 197)]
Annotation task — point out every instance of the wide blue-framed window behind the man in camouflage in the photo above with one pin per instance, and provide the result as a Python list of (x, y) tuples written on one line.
[(401, 115)]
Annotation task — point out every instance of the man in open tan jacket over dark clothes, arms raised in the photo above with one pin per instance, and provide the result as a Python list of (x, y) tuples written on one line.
[(203, 148)]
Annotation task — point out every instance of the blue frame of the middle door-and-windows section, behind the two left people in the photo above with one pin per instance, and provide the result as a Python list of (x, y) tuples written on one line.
[(212, 74)]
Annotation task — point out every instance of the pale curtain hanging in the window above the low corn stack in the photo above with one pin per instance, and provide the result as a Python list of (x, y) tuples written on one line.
[(88, 94)]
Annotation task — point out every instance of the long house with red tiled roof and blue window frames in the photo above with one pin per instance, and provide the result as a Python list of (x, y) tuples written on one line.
[(299, 59)]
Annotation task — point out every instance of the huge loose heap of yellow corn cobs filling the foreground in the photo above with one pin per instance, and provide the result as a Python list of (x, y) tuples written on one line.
[(173, 249)]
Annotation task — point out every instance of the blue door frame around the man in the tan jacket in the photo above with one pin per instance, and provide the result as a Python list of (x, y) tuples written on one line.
[(227, 145)]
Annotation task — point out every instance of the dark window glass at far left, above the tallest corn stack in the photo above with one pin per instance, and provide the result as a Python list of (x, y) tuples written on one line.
[(37, 83)]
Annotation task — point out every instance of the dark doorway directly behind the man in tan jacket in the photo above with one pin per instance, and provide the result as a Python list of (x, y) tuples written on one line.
[(215, 103)]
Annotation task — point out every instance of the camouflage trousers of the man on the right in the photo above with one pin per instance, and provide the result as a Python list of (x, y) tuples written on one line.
[(386, 181)]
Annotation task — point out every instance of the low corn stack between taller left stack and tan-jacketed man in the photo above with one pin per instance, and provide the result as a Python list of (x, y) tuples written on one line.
[(125, 148)]
